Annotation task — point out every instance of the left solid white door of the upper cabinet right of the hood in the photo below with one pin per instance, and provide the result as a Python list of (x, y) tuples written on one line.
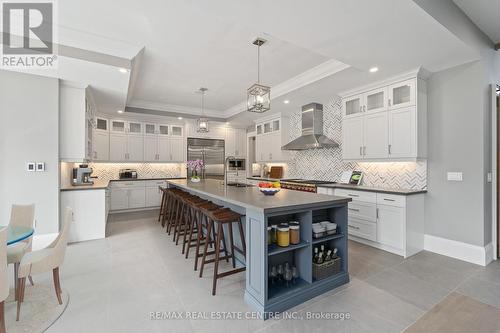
[(352, 138)]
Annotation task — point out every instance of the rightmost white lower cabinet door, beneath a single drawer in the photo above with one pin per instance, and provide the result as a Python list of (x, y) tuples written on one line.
[(390, 225)]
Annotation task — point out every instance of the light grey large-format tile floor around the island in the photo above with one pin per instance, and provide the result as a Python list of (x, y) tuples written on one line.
[(114, 285)]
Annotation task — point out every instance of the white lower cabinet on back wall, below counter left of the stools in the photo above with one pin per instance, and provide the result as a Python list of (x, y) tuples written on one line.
[(131, 195)]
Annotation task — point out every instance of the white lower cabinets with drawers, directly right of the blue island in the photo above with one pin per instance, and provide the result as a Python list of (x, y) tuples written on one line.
[(394, 223)]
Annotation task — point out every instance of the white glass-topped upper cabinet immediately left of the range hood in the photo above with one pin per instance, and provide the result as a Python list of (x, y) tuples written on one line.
[(272, 134)]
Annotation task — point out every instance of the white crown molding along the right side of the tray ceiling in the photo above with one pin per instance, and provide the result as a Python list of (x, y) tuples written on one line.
[(312, 75)]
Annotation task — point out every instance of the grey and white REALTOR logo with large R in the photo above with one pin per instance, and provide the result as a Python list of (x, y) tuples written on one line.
[(28, 34)]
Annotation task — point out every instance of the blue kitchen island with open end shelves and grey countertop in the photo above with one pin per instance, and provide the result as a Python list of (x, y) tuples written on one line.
[(262, 211)]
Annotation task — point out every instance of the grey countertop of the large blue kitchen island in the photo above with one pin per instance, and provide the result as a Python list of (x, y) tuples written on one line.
[(251, 197)]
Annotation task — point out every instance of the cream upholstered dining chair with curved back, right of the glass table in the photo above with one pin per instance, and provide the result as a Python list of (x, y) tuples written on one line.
[(45, 260)]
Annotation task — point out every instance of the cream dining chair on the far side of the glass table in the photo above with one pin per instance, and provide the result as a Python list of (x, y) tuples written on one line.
[(20, 216)]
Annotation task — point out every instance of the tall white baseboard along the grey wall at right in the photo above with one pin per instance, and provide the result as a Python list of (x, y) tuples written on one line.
[(479, 255)]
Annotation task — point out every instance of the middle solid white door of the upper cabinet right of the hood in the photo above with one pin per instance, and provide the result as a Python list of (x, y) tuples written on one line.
[(376, 136)]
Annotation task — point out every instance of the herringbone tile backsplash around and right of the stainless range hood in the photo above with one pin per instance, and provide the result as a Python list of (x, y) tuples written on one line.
[(327, 164)]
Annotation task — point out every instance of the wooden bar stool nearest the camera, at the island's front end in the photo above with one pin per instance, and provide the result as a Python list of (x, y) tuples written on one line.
[(220, 218)]
